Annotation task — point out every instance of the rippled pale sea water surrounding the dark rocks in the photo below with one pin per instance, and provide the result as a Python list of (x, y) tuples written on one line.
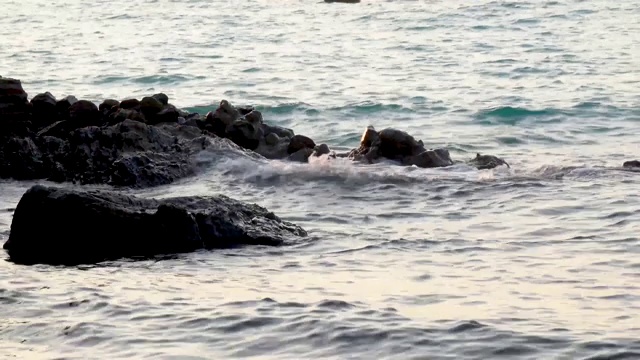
[(539, 261)]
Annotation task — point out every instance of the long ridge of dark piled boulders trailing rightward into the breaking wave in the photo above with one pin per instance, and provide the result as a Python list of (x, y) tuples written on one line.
[(147, 142)]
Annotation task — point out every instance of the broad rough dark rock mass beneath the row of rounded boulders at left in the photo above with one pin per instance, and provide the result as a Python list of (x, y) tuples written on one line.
[(128, 153)]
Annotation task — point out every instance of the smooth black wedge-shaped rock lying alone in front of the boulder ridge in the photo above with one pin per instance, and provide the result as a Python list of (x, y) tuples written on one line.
[(69, 227)]
